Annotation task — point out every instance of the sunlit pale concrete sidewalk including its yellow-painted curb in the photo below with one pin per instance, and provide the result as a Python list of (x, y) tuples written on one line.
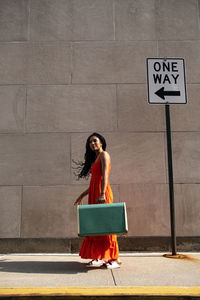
[(62, 274)]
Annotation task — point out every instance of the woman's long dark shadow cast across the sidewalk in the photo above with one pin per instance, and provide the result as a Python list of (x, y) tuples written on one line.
[(45, 267)]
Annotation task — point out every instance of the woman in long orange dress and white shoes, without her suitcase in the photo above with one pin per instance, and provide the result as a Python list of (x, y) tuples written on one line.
[(103, 250)]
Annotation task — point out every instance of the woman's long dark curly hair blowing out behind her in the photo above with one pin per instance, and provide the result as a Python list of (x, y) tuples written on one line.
[(83, 168)]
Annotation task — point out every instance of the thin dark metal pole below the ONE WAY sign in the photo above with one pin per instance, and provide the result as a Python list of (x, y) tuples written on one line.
[(171, 183)]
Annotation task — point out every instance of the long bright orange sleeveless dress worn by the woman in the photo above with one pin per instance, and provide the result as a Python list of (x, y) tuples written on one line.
[(99, 247)]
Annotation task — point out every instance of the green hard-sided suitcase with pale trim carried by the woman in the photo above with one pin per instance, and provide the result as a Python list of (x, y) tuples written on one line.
[(102, 219)]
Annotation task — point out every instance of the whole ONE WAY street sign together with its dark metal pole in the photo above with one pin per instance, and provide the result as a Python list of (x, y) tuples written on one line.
[(166, 85)]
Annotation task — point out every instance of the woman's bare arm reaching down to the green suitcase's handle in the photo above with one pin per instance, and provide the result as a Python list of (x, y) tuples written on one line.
[(105, 160)]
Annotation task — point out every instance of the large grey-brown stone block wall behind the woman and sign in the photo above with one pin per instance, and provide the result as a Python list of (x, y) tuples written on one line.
[(71, 67)]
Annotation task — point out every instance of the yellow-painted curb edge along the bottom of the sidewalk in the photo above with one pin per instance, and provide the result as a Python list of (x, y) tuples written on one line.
[(100, 291)]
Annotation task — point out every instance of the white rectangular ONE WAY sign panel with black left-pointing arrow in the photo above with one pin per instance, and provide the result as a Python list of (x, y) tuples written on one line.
[(166, 81)]
